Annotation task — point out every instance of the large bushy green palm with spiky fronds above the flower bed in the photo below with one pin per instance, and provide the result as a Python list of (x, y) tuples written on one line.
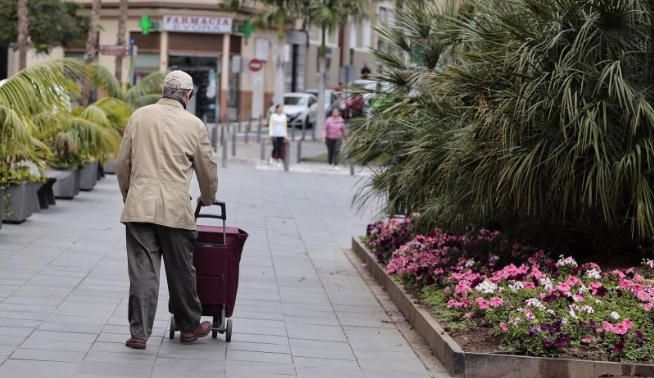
[(540, 122)]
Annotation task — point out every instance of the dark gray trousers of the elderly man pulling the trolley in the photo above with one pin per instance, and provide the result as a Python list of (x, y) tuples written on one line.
[(146, 243)]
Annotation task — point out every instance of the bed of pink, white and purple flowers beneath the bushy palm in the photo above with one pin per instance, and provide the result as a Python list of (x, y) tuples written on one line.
[(493, 294)]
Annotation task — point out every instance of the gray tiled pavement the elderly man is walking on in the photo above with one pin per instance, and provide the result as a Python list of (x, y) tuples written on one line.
[(302, 308)]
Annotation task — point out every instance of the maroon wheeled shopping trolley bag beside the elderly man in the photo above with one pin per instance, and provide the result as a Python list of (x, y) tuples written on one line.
[(216, 257)]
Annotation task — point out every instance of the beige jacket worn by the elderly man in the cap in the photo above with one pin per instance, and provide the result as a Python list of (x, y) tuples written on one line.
[(162, 146)]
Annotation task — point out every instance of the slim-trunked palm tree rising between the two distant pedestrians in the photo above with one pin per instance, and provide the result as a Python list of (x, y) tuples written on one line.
[(330, 15)]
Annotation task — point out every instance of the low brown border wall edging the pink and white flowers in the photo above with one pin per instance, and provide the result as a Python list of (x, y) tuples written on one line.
[(487, 365)]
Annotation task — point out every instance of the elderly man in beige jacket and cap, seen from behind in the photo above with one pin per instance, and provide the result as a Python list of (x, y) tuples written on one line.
[(162, 146)]
